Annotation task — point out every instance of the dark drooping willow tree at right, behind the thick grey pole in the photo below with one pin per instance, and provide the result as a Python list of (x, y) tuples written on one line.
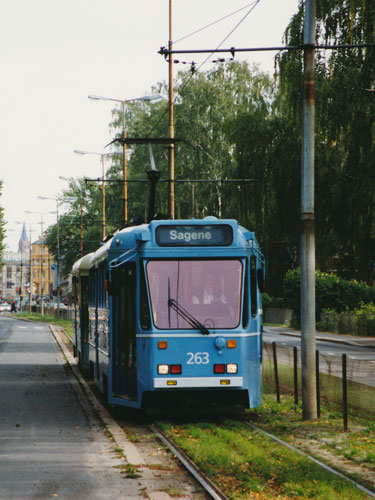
[(345, 130)]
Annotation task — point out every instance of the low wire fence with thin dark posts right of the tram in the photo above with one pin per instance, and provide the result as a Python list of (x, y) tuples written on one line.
[(344, 383)]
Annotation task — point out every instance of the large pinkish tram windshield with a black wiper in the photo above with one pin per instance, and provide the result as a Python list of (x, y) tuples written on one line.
[(208, 290)]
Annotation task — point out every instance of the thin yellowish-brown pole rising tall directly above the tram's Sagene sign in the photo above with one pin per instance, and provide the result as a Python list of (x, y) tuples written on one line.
[(171, 202)]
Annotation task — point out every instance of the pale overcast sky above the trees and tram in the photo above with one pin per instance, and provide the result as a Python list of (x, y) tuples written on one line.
[(54, 54)]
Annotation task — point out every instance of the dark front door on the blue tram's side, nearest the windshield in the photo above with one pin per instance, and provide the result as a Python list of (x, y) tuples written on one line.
[(124, 373)]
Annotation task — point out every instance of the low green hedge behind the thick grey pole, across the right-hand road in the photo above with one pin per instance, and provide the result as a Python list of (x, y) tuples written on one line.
[(331, 293)]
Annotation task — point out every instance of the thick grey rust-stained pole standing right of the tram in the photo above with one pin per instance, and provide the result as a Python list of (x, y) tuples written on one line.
[(308, 332)]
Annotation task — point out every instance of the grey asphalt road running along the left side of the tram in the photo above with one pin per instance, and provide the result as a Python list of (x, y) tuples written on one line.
[(50, 444)]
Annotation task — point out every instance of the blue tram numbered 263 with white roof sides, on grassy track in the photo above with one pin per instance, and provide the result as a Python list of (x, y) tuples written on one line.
[(171, 311)]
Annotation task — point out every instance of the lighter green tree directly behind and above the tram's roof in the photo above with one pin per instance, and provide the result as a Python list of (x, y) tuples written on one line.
[(206, 105)]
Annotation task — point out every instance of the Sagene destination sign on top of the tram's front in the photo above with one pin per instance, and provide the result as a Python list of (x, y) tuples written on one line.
[(194, 236)]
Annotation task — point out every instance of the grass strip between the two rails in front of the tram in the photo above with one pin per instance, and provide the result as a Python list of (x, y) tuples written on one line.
[(247, 464)]
